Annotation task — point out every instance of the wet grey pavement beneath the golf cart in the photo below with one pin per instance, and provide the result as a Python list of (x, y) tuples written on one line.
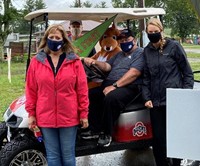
[(119, 158)]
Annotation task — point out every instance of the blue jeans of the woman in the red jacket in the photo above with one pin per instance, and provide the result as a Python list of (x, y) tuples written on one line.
[(60, 145)]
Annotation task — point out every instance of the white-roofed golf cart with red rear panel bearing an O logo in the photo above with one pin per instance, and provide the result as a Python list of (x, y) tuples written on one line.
[(133, 129)]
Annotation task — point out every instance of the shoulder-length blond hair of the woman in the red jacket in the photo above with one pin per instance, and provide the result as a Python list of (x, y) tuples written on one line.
[(67, 47)]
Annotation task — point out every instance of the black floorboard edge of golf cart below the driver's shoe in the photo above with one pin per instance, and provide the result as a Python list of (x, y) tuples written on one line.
[(89, 147)]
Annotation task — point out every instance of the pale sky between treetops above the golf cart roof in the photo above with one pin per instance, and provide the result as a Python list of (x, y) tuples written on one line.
[(61, 3)]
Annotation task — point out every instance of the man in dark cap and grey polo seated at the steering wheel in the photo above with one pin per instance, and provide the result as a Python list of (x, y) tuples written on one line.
[(120, 86)]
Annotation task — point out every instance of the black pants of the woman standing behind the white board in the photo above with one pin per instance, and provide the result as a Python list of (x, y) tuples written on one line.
[(158, 121)]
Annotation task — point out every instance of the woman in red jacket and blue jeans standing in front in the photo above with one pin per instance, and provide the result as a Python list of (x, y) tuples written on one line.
[(57, 96)]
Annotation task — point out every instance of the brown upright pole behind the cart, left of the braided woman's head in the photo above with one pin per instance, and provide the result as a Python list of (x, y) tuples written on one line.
[(141, 4)]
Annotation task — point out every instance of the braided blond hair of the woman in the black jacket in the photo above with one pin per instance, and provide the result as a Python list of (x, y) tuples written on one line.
[(156, 22)]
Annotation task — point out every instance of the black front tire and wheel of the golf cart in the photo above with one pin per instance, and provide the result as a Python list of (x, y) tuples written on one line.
[(23, 152)]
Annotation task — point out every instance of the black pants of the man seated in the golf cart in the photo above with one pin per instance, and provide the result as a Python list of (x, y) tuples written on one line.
[(105, 110)]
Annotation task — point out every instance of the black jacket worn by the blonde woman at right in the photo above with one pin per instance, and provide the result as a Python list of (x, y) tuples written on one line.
[(169, 69)]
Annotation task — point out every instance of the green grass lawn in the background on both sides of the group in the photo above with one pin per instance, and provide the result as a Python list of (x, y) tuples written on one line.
[(11, 91)]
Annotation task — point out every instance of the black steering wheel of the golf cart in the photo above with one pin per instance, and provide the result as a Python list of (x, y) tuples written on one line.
[(93, 71)]
